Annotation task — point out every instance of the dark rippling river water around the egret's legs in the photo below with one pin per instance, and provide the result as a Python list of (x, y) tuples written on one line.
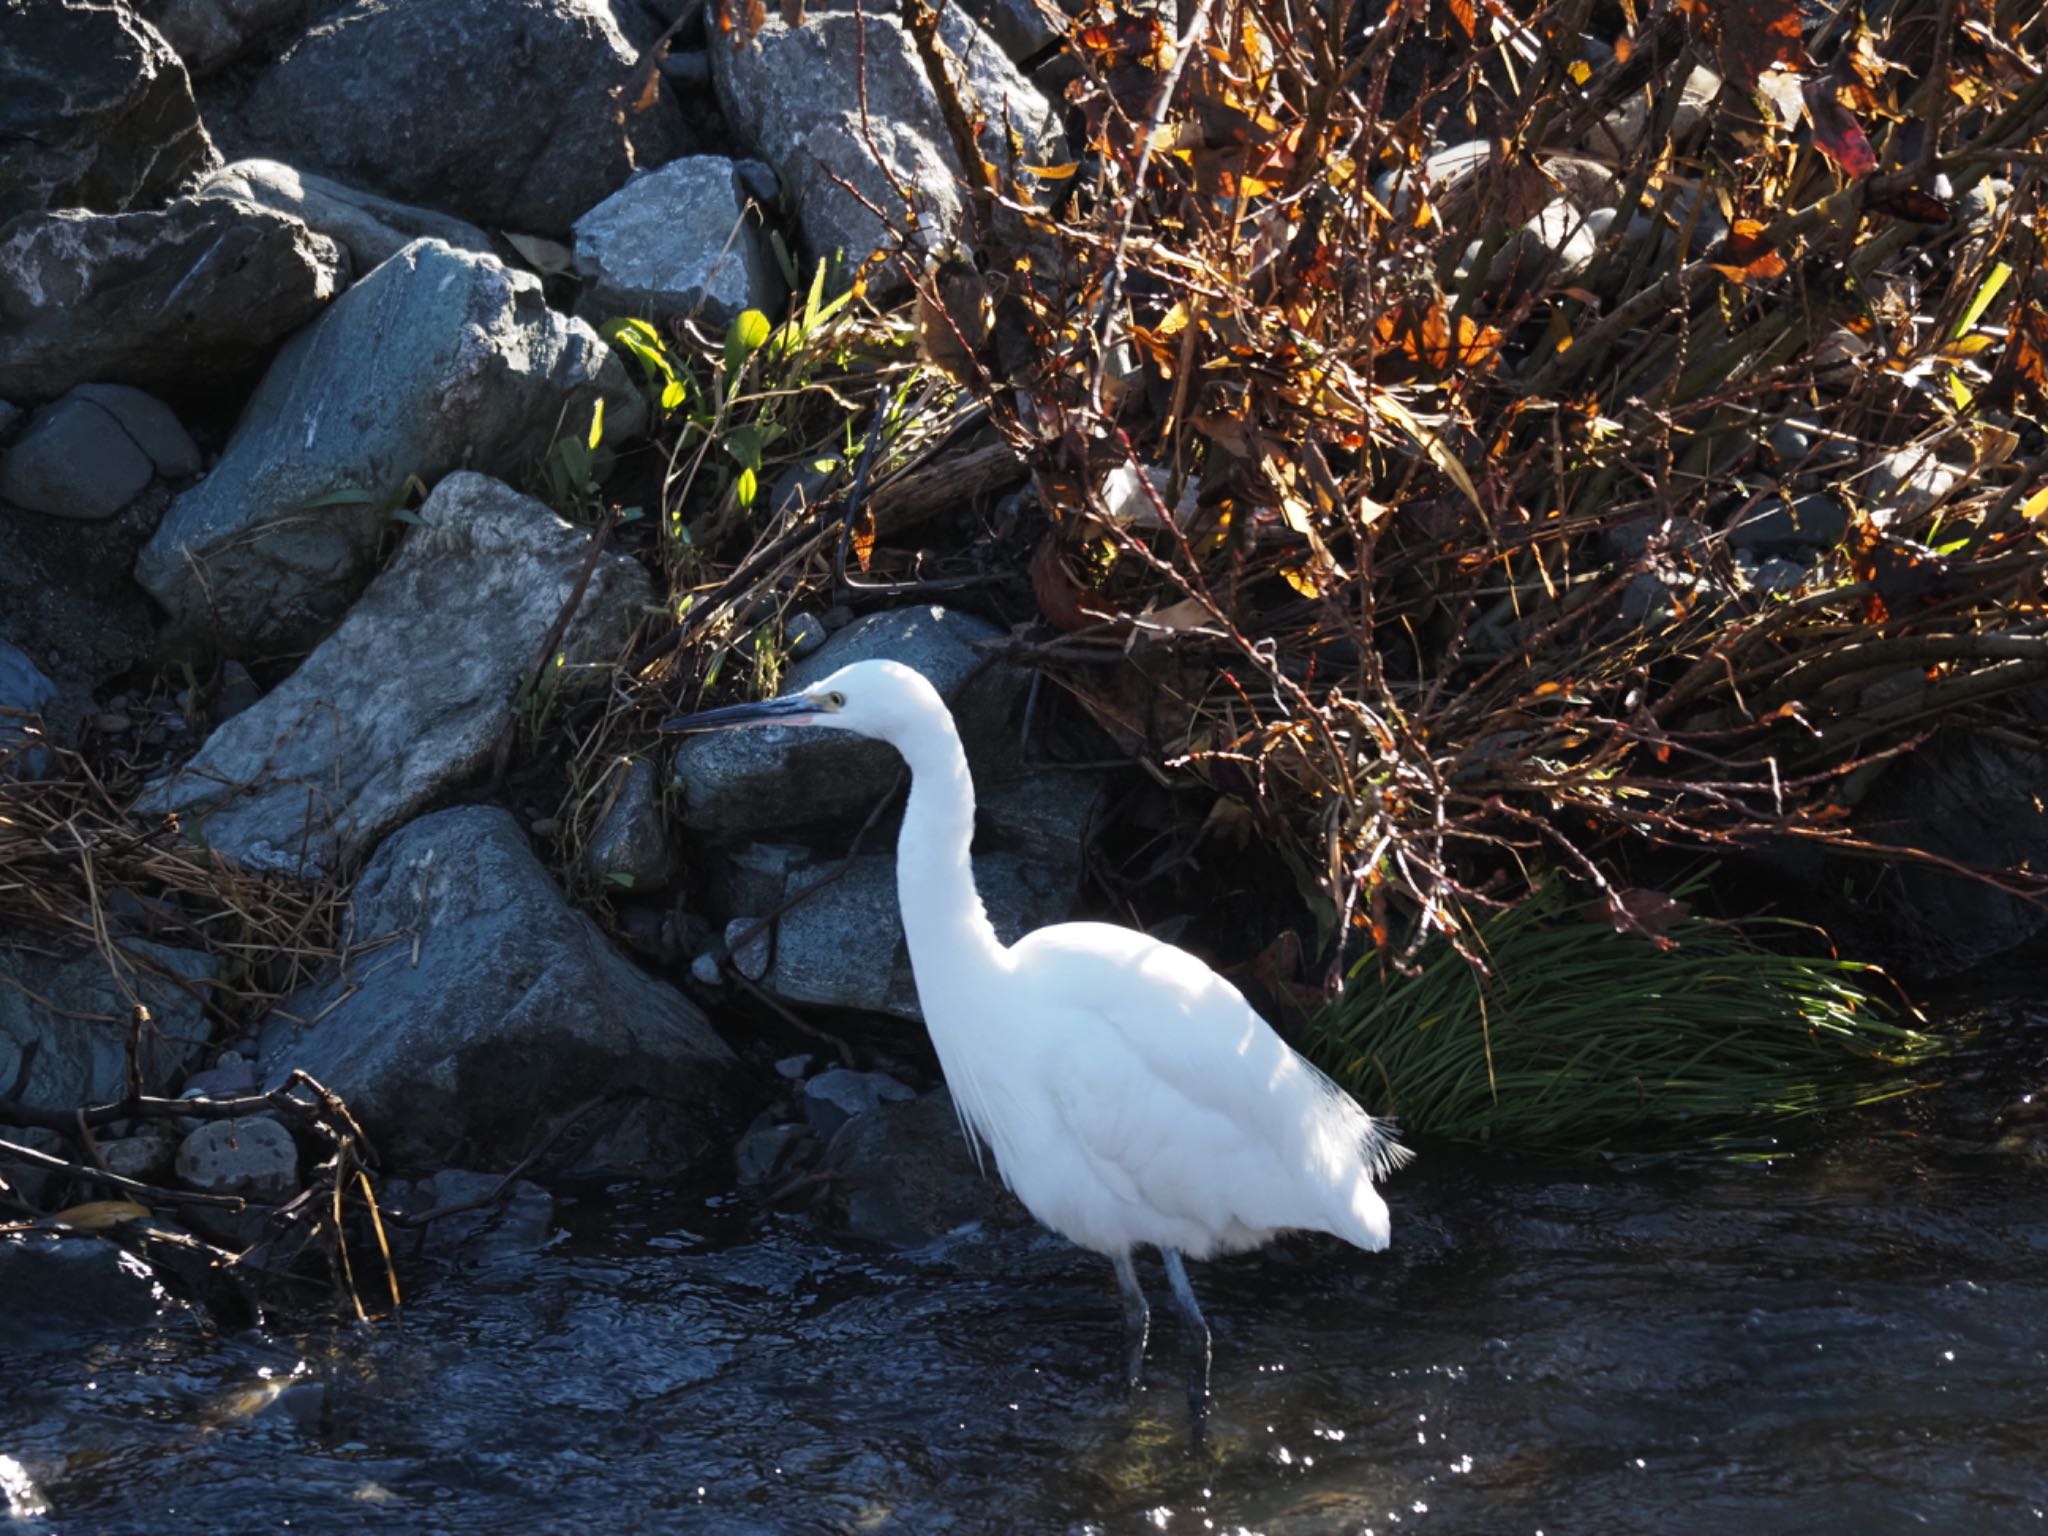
[(1852, 1338)]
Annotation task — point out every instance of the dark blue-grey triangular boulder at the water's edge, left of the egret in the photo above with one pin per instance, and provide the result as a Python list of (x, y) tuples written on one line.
[(495, 1007)]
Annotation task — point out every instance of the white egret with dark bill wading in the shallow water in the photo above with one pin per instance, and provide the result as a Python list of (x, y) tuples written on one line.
[(1127, 1091)]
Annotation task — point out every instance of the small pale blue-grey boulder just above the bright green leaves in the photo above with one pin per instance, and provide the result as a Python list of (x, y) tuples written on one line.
[(681, 241)]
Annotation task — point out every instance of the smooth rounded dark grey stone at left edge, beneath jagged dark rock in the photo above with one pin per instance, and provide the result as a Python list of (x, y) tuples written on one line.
[(91, 454)]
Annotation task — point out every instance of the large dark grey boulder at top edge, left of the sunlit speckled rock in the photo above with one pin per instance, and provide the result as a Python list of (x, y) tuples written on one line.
[(503, 112)]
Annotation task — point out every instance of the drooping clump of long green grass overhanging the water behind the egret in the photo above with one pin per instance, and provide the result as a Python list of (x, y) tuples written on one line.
[(1578, 1039)]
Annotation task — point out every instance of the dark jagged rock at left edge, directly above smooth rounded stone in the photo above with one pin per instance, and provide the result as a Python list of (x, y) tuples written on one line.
[(196, 290)]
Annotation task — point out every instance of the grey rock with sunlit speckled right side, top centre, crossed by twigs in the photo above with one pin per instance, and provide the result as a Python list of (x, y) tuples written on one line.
[(796, 97)]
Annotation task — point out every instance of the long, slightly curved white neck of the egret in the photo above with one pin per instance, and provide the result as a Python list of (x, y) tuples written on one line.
[(951, 939)]
